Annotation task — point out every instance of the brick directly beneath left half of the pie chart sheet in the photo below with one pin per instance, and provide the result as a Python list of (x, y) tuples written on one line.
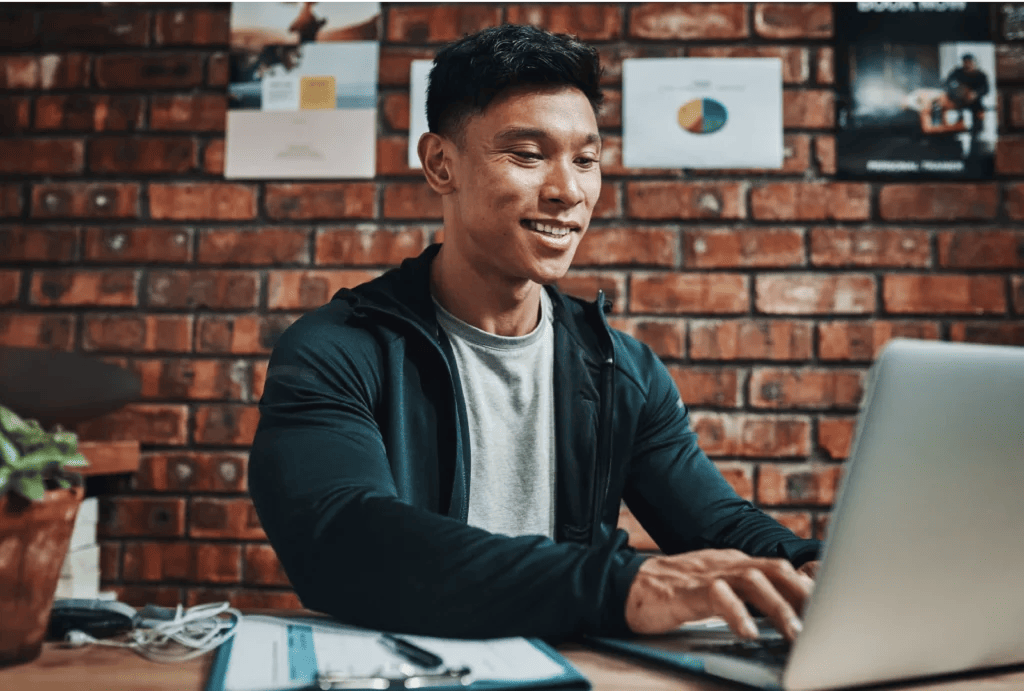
[(658, 201)]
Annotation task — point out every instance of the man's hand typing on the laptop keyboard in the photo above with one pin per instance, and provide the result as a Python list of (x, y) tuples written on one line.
[(670, 591)]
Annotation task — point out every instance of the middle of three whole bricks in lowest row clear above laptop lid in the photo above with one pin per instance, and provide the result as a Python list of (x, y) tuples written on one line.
[(816, 294)]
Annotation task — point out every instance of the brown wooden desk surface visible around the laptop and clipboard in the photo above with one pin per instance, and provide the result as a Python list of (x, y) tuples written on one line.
[(102, 669)]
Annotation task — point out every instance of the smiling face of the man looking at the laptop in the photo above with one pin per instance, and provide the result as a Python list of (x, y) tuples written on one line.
[(527, 180)]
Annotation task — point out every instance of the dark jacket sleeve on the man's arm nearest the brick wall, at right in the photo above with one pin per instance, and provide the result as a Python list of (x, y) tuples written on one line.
[(680, 497)]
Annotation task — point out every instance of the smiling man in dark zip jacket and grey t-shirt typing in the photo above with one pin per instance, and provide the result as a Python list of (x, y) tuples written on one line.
[(444, 450)]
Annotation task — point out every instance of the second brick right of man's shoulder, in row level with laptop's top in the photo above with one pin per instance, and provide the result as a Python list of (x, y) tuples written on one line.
[(750, 339)]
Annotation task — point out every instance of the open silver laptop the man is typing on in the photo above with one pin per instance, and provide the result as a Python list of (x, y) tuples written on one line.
[(923, 572)]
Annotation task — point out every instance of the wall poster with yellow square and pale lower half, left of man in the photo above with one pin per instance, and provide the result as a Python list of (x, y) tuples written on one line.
[(303, 94)]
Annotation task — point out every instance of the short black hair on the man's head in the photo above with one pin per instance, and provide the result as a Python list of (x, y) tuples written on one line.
[(470, 73)]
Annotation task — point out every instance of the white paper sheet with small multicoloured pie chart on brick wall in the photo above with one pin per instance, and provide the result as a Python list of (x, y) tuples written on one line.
[(703, 113)]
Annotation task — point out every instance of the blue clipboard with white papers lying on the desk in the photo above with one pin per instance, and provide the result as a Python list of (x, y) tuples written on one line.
[(272, 654)]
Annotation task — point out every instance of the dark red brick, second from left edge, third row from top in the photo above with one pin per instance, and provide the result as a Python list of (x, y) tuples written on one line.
[(98, 113)]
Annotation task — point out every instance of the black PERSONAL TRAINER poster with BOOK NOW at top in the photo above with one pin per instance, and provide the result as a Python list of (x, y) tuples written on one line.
[(916, 91)]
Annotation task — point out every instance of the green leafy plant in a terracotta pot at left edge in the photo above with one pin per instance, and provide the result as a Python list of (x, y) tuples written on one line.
[(39, 501)]
